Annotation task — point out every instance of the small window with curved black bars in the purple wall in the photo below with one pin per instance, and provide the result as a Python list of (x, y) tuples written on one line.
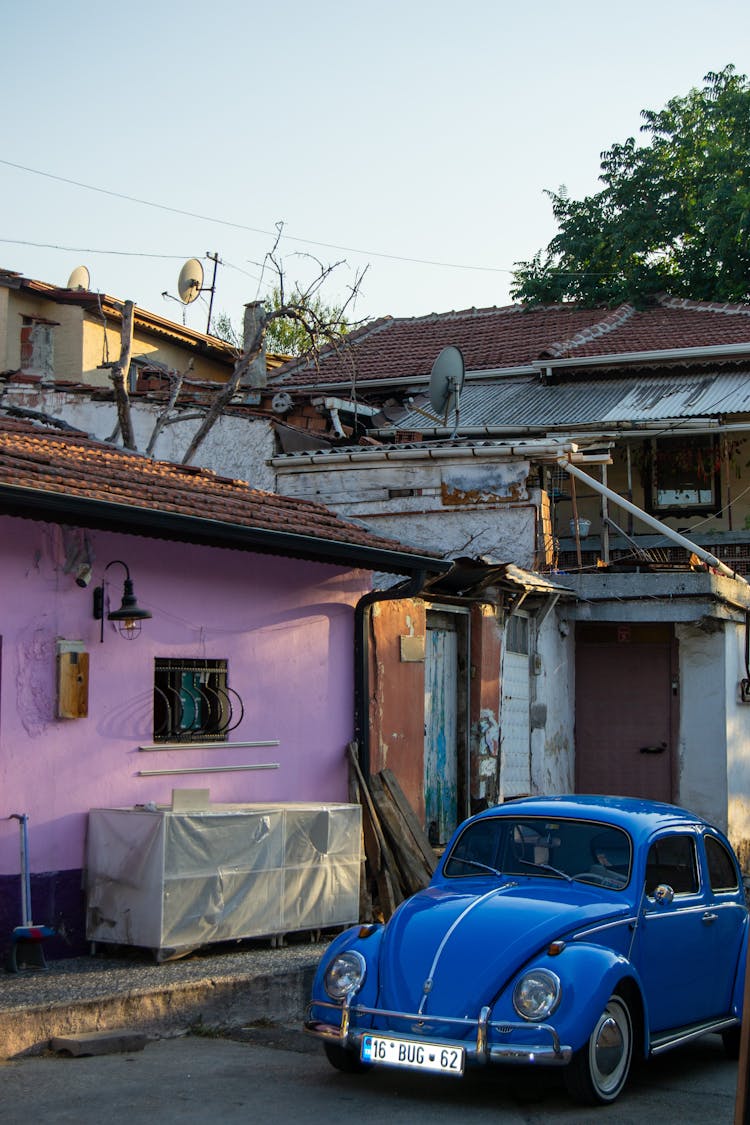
[(193, 701)]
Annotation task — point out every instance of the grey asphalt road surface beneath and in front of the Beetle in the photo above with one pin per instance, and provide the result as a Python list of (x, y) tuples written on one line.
[(276, 1075)]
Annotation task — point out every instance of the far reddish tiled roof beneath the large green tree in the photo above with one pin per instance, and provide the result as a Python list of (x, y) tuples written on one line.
[(518, 337)]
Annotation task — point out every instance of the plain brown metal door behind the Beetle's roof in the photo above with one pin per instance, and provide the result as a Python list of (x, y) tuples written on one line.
[(626, 709)]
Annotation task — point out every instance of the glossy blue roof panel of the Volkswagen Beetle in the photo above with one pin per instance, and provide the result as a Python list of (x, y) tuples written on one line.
[(634, 814)]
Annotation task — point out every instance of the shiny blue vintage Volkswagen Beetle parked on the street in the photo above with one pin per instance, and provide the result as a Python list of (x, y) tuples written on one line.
[(573, 932)]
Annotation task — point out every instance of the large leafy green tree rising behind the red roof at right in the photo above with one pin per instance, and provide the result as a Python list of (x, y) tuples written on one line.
[(674, 214)]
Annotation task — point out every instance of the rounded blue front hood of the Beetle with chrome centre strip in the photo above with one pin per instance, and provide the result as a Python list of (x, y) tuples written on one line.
[(469, 943)]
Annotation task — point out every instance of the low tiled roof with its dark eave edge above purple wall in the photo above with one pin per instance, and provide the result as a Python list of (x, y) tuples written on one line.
[(85, 475)]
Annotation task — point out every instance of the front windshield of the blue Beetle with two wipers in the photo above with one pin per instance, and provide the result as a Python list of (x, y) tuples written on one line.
[(581, 850)]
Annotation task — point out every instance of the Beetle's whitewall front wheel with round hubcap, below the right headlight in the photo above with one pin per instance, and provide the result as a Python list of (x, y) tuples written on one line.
[(600, 1070)]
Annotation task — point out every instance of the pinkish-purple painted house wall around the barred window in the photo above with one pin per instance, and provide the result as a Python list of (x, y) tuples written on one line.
[(285, 626)]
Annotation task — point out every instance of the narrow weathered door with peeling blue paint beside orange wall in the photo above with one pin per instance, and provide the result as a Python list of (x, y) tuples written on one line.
[(441, 730)]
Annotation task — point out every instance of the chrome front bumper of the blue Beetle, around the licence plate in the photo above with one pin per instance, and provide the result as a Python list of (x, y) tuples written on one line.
[(491, 1042)]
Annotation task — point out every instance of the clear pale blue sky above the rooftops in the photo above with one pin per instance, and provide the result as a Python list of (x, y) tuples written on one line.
[(406, 145)]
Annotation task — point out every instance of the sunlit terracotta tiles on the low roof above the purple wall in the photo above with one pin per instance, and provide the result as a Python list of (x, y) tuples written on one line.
[(80, 469)]
